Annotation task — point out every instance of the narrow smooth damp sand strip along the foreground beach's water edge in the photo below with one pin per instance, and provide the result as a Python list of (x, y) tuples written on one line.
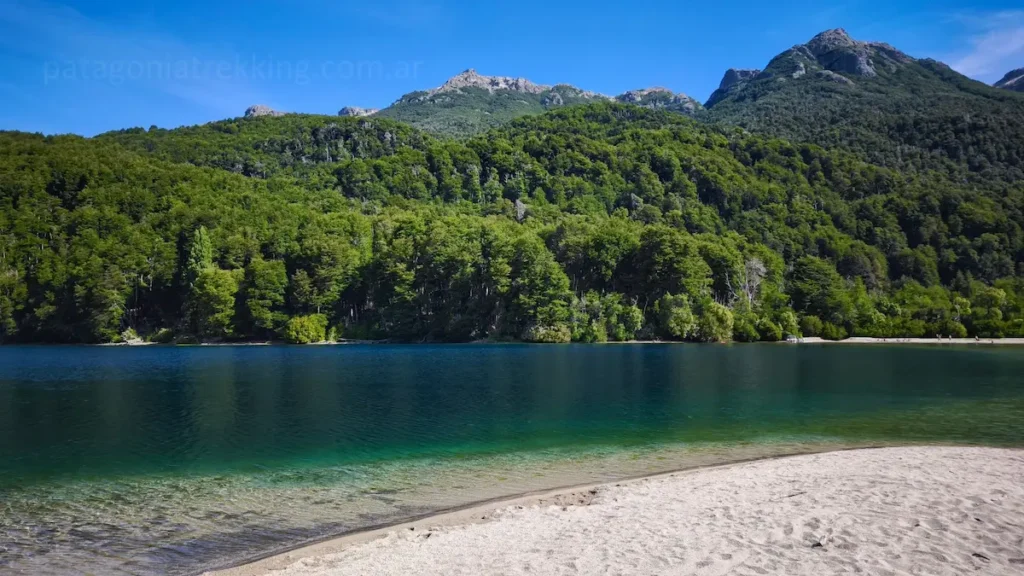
[(484, 511)]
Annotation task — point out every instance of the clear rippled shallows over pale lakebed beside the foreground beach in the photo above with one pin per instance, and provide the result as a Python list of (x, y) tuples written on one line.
[(186, 524)]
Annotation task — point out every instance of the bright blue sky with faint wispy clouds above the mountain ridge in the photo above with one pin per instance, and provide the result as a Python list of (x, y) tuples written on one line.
[(92, 67)]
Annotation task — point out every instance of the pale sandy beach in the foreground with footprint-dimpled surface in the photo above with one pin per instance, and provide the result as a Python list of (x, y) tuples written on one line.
[(892, 511)]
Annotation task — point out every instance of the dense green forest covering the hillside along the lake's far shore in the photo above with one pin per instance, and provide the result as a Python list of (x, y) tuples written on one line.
[(596, 223)]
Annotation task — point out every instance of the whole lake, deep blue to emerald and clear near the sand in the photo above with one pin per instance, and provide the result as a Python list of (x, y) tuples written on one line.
[(172, 461)]
